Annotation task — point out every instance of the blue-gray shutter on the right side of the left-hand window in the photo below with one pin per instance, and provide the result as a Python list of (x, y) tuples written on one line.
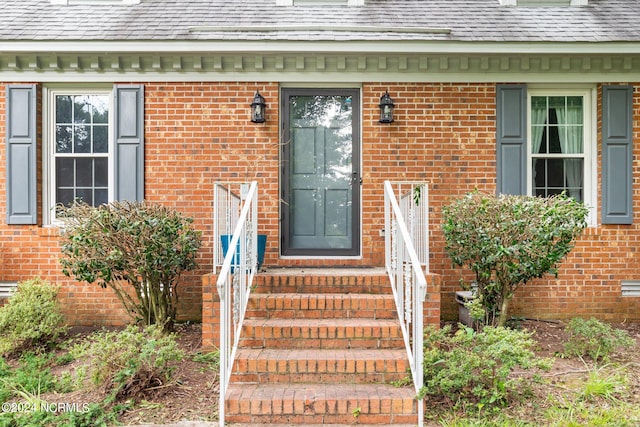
[(129, 142)]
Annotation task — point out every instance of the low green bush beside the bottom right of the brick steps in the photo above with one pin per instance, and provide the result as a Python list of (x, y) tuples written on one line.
[(475, 367)]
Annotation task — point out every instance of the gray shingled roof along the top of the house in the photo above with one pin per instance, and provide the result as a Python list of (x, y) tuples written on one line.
[(377, 20)]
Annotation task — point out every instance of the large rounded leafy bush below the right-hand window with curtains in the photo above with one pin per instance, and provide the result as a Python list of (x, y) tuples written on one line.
[(509, 240)]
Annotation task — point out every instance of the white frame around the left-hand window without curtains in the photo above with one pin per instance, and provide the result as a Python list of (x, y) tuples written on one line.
[(48, 146)]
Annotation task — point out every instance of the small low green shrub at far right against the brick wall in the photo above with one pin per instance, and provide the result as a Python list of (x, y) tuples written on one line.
[(595, 339)]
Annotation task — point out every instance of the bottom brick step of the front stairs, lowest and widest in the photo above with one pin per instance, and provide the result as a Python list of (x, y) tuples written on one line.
[(321, 403)]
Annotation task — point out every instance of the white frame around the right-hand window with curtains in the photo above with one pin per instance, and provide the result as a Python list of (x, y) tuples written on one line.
[(589, 96)]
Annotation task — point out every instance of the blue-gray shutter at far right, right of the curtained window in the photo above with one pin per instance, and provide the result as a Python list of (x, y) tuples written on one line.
[(617, 154)]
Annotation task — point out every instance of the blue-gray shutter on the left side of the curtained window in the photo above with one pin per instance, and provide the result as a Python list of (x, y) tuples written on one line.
[(511, 138)]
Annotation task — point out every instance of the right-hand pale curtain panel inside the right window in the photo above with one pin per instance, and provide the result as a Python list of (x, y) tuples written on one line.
[(571, 143)]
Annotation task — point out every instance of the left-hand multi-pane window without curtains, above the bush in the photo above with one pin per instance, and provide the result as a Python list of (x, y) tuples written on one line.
[(78, 148)]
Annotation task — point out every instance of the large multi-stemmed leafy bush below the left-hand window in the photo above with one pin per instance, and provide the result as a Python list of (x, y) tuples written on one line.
[(137, 249)]
